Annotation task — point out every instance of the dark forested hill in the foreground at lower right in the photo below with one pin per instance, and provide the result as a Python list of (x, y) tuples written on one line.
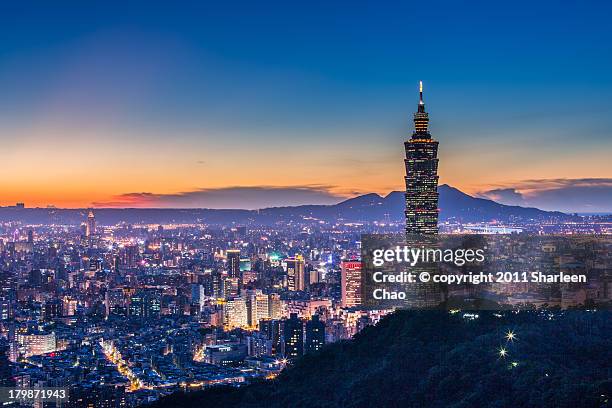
[(435, 359)]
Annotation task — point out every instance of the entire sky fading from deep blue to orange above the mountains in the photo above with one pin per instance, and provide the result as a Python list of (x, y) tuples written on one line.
[(251, 104)]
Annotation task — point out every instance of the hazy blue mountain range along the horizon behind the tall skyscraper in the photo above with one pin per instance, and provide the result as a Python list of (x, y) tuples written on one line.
[(454, 205)]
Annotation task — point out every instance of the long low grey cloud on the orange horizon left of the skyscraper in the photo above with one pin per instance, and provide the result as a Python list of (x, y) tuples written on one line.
[(228, 197)]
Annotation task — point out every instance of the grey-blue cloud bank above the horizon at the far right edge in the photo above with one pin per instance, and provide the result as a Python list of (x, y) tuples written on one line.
[(582, 195)]
